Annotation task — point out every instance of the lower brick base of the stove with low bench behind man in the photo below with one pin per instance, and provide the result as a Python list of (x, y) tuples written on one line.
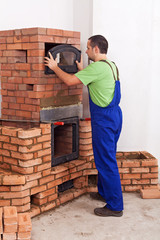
[(29, 183)]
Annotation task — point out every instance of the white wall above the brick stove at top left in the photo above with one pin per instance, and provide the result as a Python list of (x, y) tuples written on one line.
[(36, 13)]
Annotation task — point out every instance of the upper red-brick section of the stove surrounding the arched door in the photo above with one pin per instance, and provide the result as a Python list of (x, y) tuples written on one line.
[(25, 88)]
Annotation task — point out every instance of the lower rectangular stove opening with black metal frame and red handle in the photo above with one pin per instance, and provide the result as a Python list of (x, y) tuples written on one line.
[(64, 140)]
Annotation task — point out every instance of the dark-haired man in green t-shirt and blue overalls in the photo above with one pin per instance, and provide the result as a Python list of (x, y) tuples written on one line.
[(101, 77)]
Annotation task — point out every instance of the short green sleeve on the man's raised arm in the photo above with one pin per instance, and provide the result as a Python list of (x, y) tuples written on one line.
[(87, 75)]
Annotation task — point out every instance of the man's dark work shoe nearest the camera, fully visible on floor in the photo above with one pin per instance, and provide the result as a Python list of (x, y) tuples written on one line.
[(106, 212)]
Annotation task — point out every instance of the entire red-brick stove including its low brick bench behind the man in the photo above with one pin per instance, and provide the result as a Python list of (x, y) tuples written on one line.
[(30, 100)]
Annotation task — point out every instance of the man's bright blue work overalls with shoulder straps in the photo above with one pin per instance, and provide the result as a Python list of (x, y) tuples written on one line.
[(106, 127)]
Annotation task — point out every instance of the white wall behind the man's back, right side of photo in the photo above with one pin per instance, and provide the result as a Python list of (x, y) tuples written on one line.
[(133, 31)]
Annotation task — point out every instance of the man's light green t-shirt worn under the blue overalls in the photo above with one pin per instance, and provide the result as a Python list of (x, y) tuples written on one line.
[(99, 78)]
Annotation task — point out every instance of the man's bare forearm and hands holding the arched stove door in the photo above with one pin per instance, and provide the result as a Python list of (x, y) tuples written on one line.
[(67, 78)]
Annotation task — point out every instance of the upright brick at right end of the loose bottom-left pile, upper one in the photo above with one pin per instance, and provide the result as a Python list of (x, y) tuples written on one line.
[(24, 222)]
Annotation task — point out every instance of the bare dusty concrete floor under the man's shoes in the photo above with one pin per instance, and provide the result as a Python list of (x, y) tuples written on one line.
[(76, 221)]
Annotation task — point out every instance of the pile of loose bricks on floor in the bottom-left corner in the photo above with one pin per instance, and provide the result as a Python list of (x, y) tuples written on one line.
[(13, 225)]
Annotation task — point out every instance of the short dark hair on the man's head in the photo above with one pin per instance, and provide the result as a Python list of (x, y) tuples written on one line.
[(99, 41)]
